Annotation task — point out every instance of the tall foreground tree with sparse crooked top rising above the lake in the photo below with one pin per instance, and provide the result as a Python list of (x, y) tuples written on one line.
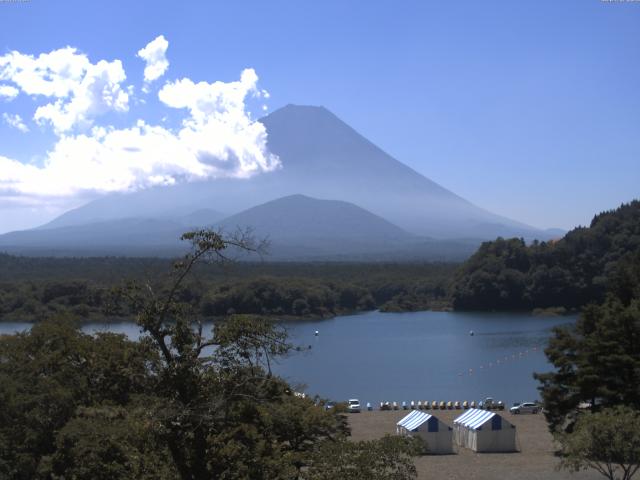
[(218, 413)]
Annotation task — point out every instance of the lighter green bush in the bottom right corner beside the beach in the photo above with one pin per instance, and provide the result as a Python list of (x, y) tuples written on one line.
[(607, 441)]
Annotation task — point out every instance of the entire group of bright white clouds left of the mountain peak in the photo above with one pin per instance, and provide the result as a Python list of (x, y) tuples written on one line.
[(216, 138)]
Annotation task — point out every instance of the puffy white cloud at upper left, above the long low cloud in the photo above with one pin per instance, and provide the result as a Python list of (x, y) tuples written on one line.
[(82, 90)]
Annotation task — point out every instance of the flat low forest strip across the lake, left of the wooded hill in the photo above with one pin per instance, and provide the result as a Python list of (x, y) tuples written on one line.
[(34, 288)]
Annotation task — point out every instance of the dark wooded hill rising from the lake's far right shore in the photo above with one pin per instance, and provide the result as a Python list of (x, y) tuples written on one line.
[(569, 273)]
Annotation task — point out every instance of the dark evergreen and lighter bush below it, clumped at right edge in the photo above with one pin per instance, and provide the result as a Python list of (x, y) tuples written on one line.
[(591, 396)]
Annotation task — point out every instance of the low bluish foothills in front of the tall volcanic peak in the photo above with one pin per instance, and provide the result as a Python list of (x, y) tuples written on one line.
[(297, 228)]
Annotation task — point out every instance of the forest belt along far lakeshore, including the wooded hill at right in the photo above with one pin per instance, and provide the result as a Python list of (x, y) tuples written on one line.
[(506, 274)]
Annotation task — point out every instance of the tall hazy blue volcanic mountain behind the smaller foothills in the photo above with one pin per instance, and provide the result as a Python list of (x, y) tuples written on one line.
[(322, 158)]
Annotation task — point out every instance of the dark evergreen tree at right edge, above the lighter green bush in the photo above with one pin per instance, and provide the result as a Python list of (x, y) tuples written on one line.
[(598, 361)]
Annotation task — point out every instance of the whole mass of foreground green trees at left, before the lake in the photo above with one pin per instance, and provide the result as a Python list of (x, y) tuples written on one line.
[(181, 403)]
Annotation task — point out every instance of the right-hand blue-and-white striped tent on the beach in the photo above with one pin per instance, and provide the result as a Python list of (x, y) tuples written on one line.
[(484, 431)]
